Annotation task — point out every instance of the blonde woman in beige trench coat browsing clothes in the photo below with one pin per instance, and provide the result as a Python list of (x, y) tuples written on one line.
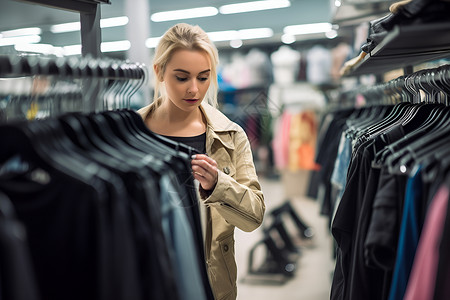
[(185, 66)]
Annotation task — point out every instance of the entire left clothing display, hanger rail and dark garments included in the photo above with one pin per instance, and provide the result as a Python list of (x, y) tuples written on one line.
[(110, 208)]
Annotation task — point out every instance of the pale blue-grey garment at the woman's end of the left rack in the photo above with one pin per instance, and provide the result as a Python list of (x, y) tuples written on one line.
[(179, 236)]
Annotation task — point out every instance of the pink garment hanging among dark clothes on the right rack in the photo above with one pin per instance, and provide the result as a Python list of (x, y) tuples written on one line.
[(423, 274)]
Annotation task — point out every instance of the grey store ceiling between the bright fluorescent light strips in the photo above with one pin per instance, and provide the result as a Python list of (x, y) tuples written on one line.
[(17, 14)]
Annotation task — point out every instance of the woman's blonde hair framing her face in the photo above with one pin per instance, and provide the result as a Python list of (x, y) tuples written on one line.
[(189, 37)]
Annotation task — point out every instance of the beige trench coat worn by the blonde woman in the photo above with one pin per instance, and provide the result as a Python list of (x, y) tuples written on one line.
[(236, 201)]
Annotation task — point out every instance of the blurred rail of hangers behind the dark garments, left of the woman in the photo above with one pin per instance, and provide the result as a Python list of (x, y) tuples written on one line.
[(88, 84)]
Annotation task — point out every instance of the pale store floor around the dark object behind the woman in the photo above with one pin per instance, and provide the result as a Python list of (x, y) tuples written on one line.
[(314, 266)]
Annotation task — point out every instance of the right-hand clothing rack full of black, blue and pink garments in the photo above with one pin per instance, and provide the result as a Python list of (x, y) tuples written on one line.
[(388, 164)]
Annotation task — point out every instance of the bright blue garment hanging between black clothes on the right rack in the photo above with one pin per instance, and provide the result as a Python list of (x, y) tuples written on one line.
[(408, 238)]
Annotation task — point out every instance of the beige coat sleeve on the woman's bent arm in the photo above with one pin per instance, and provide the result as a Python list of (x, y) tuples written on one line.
[(239, 200)]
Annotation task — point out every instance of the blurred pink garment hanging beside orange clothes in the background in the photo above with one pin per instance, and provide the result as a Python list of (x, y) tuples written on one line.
[(280, 143)]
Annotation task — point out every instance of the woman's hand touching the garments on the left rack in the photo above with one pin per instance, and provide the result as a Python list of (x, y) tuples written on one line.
[(204, 169)]
